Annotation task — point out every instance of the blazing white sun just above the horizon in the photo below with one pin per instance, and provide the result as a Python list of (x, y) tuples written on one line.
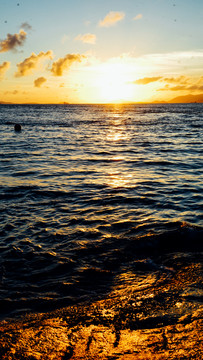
[(113, 83)]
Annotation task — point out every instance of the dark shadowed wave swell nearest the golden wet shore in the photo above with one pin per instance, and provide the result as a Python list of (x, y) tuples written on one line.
[(88, 262)]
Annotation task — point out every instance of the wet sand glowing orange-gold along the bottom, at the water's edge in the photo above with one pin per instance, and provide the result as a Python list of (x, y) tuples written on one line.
[(163, 322)]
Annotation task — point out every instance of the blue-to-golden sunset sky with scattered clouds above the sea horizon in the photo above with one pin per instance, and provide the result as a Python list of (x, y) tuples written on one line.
[(93, 51)]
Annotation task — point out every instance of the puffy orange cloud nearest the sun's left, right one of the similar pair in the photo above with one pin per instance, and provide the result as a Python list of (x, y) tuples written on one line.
[(65, 63)]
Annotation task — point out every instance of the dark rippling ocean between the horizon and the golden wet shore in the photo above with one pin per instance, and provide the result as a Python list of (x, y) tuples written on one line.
[(95, 199)]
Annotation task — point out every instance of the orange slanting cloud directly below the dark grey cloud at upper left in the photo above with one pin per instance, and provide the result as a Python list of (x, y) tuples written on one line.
[(31, 63)]
